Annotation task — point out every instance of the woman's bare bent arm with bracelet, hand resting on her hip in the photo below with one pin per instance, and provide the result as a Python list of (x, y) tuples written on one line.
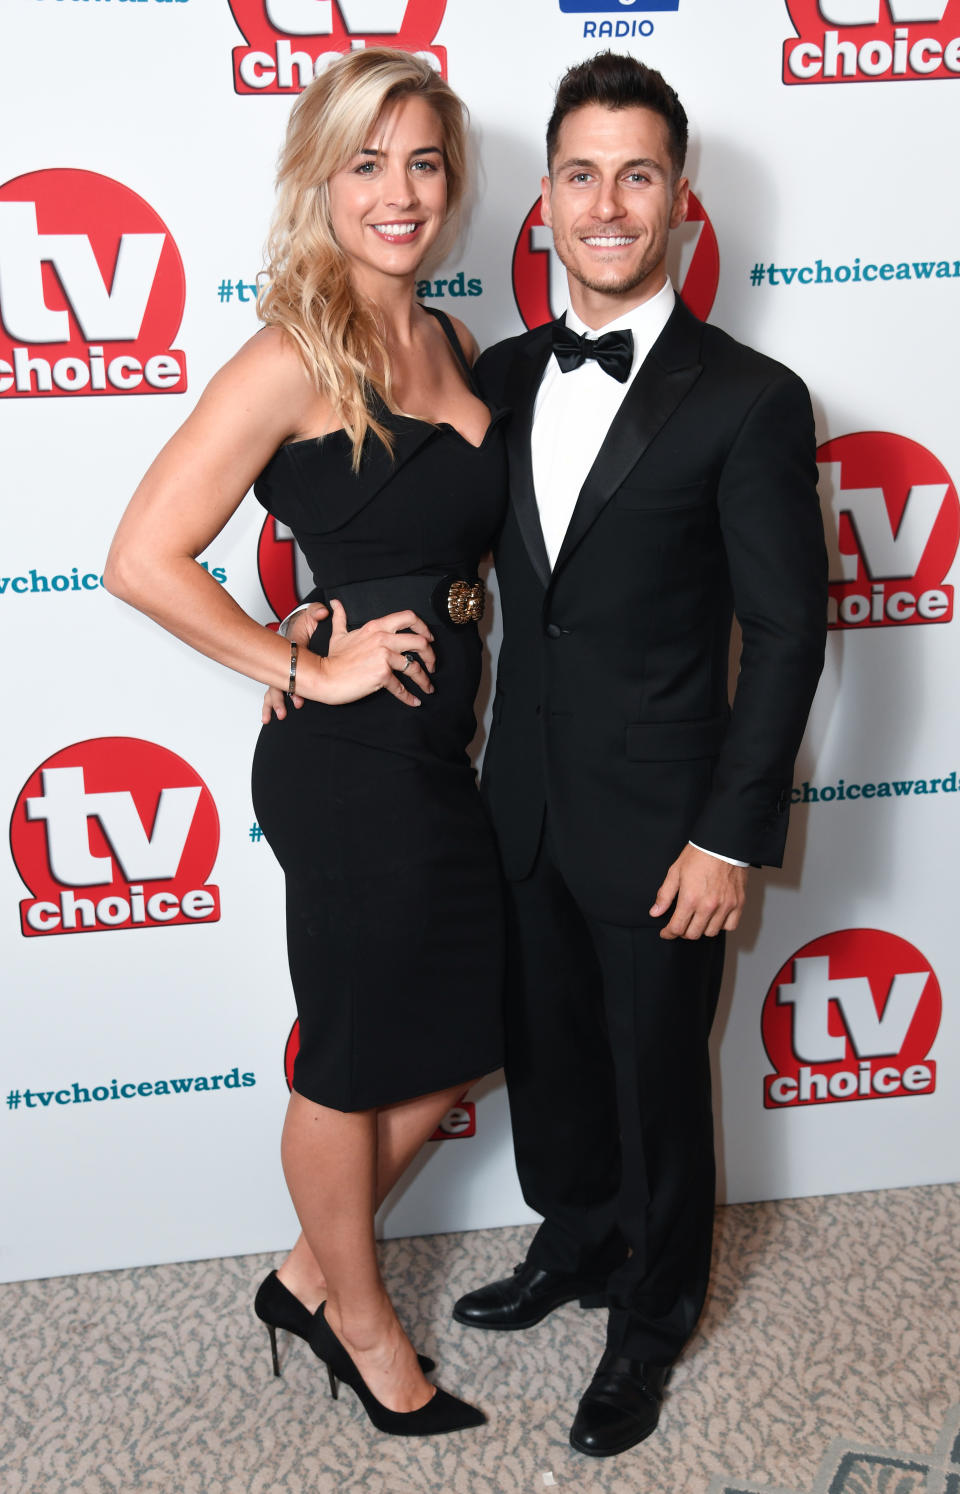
[(195, 486)]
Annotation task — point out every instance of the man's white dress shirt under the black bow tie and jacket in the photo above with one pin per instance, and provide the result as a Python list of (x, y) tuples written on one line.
[(571, 419)]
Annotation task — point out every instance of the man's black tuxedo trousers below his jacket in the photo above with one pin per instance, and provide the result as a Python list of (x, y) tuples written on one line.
[(610, 1087)]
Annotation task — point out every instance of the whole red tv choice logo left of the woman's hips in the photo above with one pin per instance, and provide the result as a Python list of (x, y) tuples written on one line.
[(116, 833)]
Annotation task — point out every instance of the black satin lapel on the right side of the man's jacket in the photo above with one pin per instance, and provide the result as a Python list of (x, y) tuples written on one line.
[(662, 382)]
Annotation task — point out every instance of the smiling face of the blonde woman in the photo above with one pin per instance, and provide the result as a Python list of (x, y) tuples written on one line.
[(389, 204)]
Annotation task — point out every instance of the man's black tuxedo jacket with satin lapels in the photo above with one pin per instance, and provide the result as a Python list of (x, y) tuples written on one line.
[(611, 709)]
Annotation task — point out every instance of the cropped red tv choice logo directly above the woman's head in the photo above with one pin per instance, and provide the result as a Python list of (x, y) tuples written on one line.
[(289, 43)]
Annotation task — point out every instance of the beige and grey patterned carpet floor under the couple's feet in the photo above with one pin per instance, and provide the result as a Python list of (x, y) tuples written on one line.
[(828, 1362)]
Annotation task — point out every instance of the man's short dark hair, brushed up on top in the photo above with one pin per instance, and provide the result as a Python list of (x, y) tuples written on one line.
[(619, 83)]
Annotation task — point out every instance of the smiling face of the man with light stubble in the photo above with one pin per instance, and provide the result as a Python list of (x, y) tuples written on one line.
[(611, 201)]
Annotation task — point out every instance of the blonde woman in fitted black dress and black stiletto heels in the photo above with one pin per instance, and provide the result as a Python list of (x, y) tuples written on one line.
[(355, 413)]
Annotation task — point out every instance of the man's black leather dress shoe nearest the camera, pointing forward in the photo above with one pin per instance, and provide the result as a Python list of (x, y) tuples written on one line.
[(620, 1408)]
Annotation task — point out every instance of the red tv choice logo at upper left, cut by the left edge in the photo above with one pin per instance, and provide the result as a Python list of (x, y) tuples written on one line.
[(92, 289)]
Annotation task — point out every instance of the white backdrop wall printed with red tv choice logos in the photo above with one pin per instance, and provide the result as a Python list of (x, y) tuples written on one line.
[(135, 198)]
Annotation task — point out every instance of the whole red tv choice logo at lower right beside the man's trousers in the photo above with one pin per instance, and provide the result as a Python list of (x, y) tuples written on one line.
[(852, 1017)]
